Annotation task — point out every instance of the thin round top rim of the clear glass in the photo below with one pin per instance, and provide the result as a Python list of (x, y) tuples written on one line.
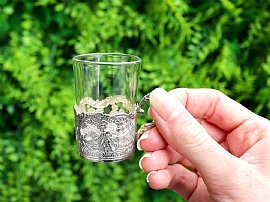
[(136, 59)]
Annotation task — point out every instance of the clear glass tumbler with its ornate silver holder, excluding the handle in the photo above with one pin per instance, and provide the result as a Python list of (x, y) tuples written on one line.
[(105, 109)]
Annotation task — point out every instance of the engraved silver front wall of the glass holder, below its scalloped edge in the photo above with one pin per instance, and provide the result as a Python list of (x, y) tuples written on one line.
[(104, 138)]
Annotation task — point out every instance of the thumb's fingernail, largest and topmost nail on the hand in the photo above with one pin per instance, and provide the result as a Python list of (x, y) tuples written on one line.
[(163, 103)]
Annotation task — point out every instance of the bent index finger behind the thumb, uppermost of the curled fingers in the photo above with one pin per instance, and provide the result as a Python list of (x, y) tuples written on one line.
[(213, 106)]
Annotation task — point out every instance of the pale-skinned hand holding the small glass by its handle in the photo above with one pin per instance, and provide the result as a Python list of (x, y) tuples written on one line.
[(206, 147)]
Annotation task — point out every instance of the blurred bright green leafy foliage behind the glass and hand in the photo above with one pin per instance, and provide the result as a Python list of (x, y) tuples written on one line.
[(217, 44)]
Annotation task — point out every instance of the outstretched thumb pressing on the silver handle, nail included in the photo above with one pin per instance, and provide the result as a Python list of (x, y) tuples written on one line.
[(185, 135)]
